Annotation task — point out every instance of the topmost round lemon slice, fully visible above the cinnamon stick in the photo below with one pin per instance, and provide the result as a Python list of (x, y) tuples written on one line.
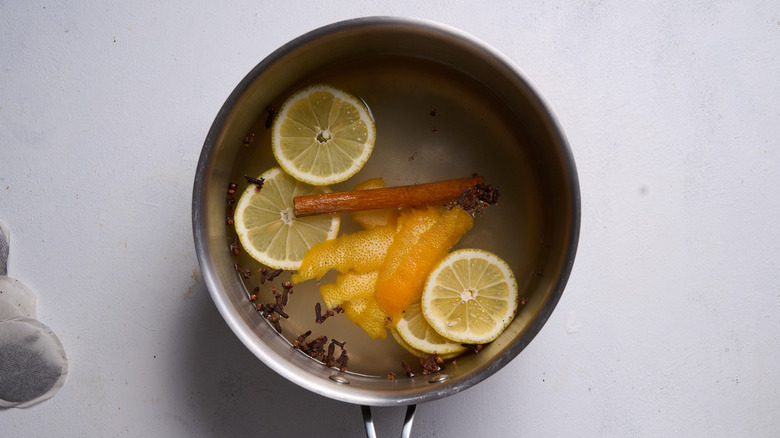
[(323, 135)]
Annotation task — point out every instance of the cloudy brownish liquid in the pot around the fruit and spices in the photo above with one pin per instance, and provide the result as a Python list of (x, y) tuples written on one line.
[(433, 123)]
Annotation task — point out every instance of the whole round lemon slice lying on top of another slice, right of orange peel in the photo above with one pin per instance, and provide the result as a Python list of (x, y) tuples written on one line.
[(470, 297)]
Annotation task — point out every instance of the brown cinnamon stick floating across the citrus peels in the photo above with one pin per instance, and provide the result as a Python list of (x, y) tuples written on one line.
[(389, 197)]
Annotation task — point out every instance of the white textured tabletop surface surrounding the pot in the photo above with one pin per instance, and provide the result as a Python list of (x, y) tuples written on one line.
[(670, 325)]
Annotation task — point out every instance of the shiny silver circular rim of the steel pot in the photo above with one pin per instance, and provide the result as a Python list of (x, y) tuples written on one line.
[(350, 393)]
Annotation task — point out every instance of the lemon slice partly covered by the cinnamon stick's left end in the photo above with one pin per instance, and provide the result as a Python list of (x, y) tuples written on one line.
[(268, 229)]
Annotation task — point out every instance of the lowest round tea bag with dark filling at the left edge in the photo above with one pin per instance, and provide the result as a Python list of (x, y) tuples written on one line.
[(33, 366)]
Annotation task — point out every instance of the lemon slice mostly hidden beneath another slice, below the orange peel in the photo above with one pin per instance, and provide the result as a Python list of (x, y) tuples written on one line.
[(418, 336)]
